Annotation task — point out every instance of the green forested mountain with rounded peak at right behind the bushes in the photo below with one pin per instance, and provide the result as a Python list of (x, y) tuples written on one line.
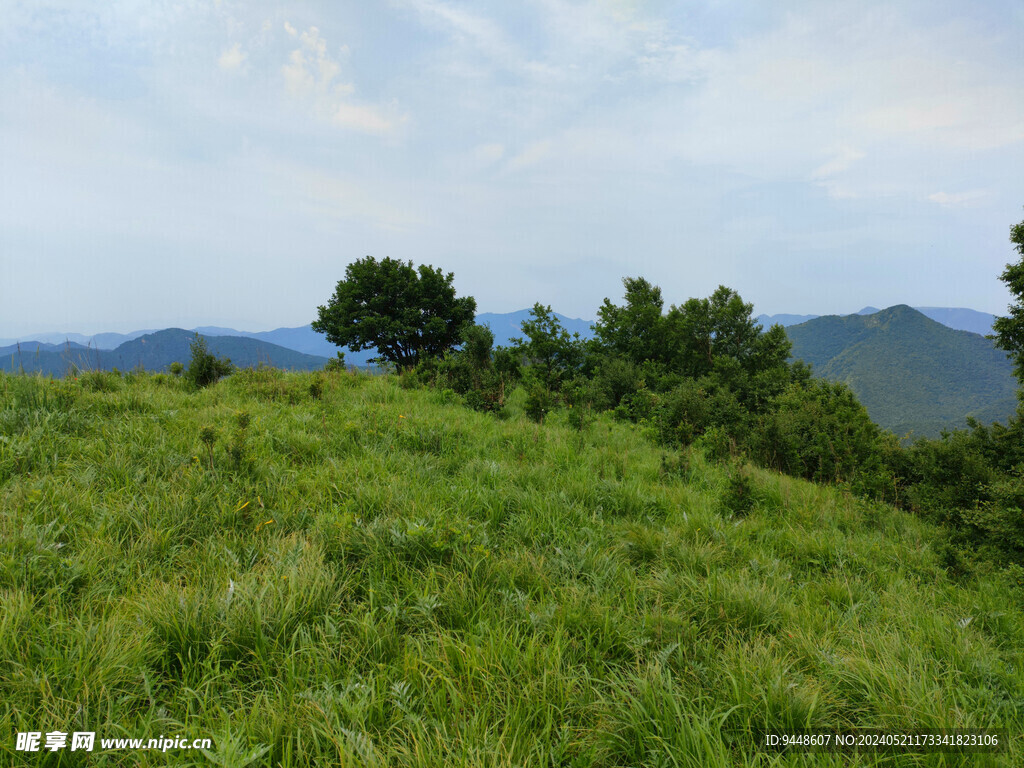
[(913, 374)]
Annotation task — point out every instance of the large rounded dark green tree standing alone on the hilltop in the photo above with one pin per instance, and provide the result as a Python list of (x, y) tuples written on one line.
[(406, 314)]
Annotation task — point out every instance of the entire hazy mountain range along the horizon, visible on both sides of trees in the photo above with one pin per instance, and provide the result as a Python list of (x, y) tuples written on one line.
[(917, 371)]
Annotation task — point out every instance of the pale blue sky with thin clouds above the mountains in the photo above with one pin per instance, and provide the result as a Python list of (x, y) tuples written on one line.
[(188, 163)]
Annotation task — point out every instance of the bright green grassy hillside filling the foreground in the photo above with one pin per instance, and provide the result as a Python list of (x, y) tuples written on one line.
[(382, 577)]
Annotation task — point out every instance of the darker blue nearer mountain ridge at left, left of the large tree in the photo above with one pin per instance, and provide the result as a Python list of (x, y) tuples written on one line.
[(154, 353)]
